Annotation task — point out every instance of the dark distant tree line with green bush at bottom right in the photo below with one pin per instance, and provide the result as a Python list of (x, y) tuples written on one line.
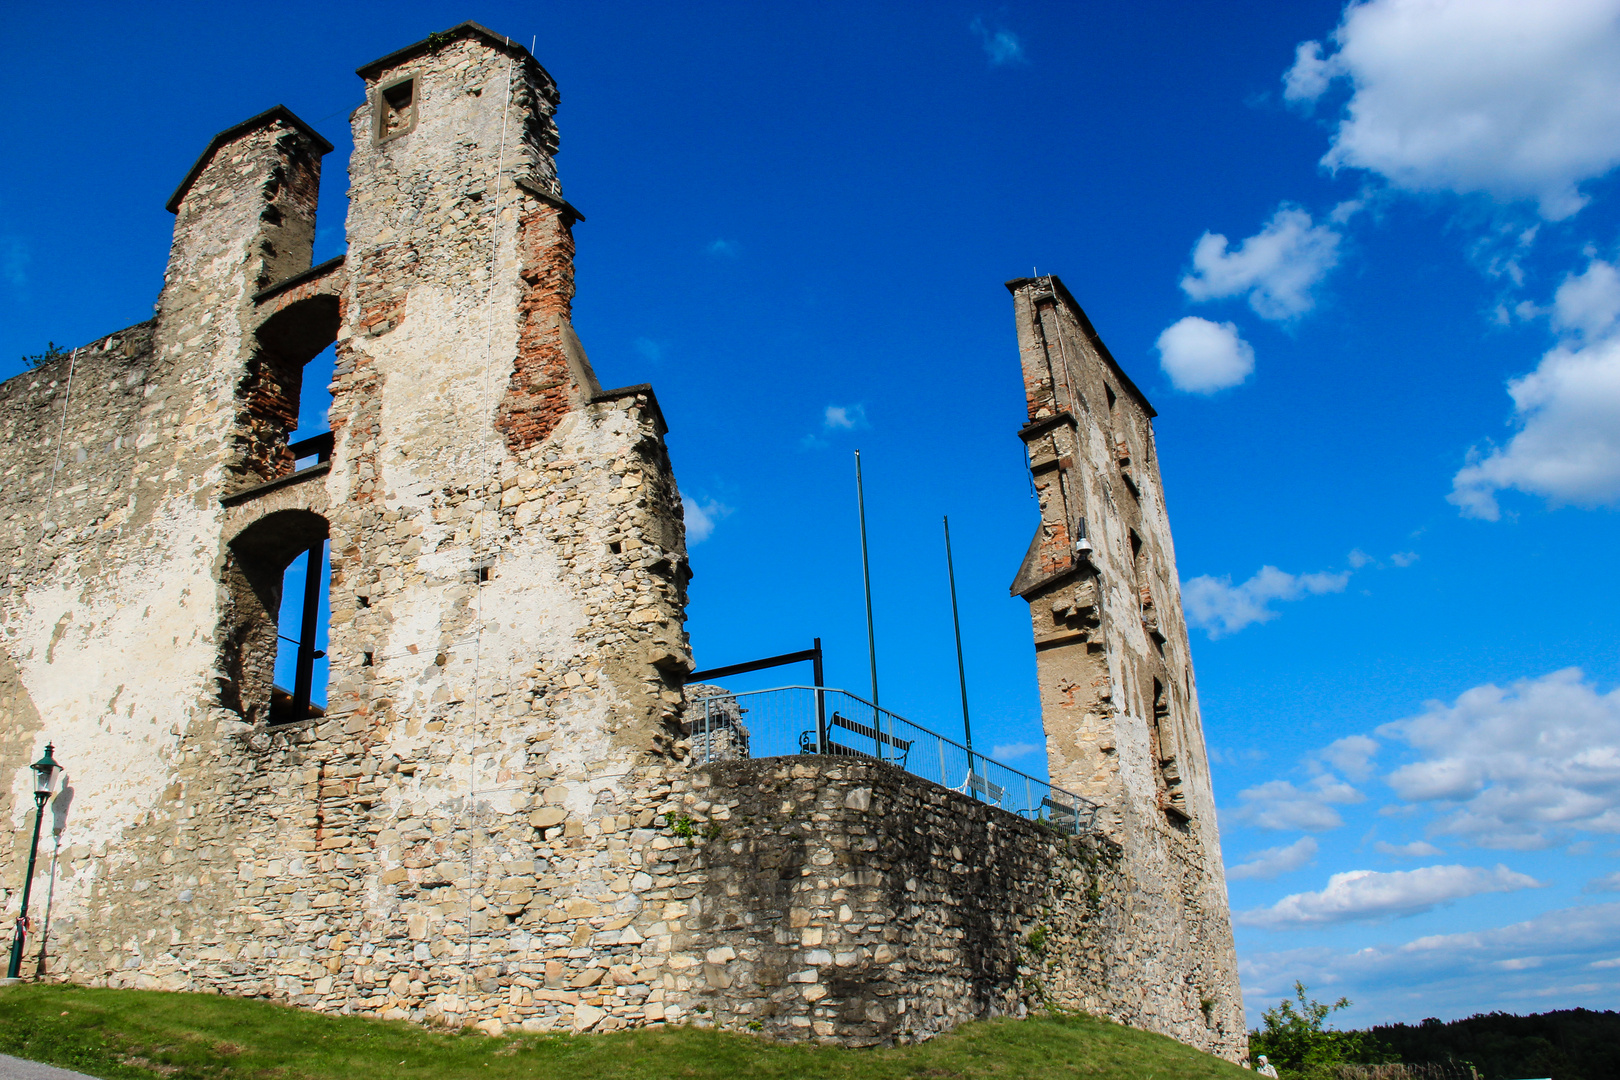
[(1564, 1045)]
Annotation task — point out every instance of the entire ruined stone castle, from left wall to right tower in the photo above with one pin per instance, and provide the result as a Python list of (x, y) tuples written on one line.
[(495, 820)]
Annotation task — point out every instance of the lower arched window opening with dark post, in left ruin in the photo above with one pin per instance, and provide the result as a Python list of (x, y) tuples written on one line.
[(275, 666)]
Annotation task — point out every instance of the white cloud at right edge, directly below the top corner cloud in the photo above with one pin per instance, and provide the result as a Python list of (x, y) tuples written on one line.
[(1567, 412)]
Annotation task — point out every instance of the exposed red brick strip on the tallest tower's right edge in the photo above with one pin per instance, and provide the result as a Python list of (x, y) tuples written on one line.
[(542, 389)]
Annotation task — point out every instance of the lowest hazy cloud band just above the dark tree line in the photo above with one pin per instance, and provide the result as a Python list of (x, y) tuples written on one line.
[(1566, 956)]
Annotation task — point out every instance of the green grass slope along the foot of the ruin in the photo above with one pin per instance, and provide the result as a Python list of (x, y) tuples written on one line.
[(143, 1035)]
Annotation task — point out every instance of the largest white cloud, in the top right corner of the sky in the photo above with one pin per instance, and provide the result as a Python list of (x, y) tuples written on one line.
[(1504, 98)]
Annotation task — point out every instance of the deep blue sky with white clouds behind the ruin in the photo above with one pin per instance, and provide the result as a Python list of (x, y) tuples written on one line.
[(1362, 261)]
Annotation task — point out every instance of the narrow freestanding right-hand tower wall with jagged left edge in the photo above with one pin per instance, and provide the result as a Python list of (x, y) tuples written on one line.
[(1119, 700)]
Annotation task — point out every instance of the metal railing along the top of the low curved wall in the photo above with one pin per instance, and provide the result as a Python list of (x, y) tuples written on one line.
[(791, 721)]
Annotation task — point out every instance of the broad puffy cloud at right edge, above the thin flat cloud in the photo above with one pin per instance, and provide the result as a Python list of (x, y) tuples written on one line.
[(1517, 768)]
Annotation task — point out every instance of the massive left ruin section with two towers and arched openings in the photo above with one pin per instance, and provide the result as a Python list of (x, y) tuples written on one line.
[(506, 603)]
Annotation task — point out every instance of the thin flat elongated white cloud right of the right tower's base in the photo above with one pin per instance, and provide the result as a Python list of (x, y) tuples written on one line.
[(1370, 895)]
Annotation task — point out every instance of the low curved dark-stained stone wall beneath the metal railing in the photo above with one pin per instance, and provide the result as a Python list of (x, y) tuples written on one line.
[(853, 901)]
